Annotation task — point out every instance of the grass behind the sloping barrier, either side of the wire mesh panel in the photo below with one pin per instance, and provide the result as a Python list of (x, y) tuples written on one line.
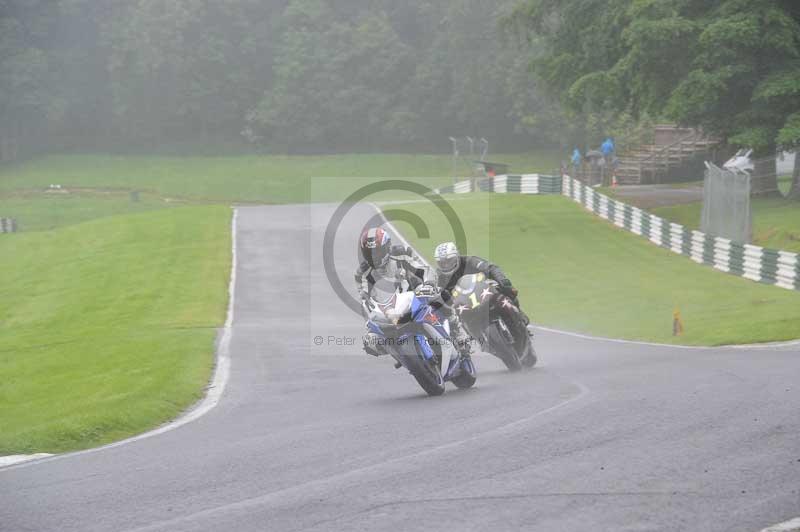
[(776, 221)]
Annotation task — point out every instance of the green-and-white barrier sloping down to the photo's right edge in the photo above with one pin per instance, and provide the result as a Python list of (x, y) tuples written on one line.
[(779, 268)]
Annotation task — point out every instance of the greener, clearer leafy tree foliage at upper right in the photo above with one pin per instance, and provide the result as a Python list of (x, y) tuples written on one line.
[(731, 67)]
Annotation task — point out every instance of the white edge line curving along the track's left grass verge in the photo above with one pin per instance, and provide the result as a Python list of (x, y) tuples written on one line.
[(214, 390)]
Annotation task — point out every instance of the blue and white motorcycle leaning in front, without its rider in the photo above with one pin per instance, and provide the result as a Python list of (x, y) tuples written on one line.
[(409, 329)]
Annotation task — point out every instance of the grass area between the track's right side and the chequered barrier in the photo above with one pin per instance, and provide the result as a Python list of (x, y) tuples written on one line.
[(580, 273)]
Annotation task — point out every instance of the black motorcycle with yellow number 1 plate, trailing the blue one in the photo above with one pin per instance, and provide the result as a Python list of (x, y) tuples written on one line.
[(494, 320)]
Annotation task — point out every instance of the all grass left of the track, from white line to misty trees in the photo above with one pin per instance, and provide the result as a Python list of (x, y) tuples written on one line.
[(109, 301)]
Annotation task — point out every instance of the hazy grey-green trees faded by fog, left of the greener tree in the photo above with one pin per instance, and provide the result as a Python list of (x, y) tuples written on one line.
[(293, 75)]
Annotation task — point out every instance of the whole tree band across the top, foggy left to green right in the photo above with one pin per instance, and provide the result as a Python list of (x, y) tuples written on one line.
[(300, 76)]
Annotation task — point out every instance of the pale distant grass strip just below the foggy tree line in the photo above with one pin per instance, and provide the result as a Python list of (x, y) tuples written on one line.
[(266, 179)]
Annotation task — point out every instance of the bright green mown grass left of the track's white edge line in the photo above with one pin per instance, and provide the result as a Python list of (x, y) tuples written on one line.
[(107, 326)]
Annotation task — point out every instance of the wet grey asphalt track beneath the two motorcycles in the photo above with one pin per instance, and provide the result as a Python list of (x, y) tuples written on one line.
[(600, 436)]
